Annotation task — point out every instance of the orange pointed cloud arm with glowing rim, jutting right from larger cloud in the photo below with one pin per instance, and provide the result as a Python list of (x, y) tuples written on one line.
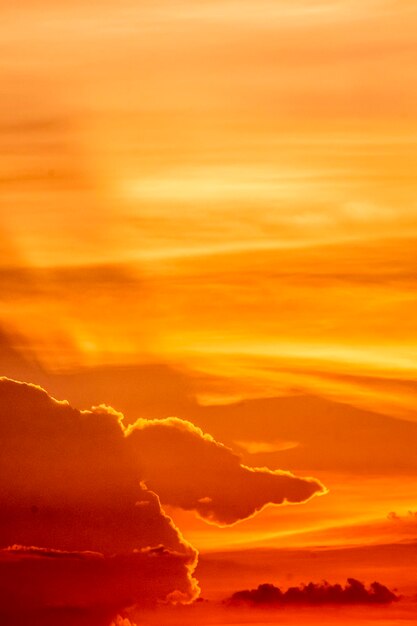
[(195, 472)]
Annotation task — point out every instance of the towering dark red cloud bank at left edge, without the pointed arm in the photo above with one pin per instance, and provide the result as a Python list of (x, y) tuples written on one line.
[(98, 541)]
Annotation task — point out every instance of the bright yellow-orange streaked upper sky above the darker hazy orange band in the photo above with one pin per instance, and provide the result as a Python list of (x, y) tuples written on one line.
[(212, 152)]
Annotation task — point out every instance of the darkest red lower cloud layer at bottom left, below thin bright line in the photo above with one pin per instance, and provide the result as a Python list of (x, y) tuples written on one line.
[(51, 586)]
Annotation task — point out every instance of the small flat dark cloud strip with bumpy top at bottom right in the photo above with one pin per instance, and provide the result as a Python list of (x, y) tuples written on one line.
[(354, 592)]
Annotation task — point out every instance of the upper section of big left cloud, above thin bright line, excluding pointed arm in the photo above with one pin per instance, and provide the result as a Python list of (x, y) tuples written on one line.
[(67, 479)]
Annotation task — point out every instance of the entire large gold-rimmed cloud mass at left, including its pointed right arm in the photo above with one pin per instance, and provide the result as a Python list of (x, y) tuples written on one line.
[(82, 531)]
